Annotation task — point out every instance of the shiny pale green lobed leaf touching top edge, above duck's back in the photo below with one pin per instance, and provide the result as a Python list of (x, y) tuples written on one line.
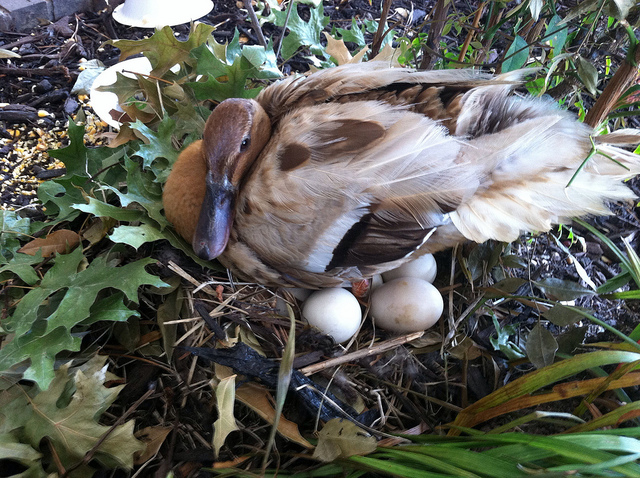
[(301, 33)]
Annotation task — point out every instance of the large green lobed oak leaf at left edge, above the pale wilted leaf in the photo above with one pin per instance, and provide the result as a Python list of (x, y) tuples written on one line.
[(40, 336)]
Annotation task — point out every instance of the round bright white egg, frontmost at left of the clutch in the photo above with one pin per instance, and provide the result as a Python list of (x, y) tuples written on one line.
[(335, 312)]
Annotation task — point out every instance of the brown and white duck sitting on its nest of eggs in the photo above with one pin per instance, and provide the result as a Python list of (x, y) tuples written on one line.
[(327, 179)]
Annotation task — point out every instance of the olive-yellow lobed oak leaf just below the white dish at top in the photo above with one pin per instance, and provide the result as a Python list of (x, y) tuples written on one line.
[(163, 49)]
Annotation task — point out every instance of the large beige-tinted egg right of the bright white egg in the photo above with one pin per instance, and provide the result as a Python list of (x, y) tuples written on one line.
[(406, 305)]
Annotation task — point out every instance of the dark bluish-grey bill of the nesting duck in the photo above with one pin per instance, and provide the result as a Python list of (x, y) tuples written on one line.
[(216, 218)]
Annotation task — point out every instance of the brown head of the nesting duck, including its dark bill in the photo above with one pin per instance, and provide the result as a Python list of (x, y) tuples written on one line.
[(234, 135)]
